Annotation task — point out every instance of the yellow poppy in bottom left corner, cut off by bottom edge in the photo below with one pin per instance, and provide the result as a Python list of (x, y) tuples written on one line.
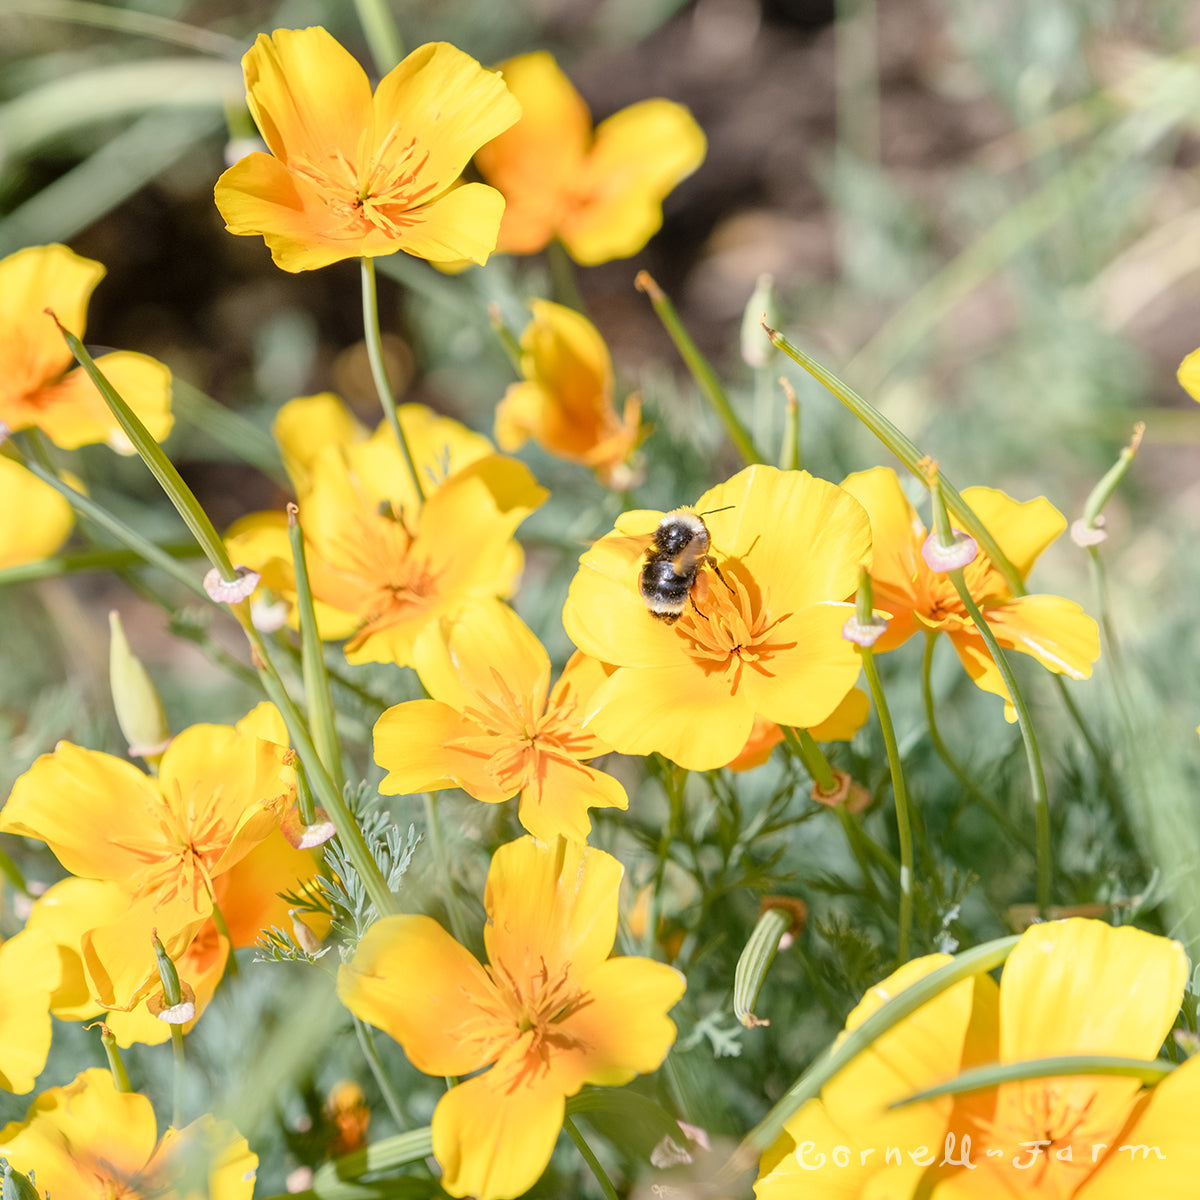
[(88, 1141)]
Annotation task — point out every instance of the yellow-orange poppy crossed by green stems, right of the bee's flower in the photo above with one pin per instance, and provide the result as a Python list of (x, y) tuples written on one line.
[(1057, 632)]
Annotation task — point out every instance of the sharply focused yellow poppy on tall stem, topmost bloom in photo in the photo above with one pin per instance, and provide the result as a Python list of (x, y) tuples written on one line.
[(352, 175)]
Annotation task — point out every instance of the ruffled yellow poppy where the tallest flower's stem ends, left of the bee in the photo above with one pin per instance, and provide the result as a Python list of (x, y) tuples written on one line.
[(382, 566)]
